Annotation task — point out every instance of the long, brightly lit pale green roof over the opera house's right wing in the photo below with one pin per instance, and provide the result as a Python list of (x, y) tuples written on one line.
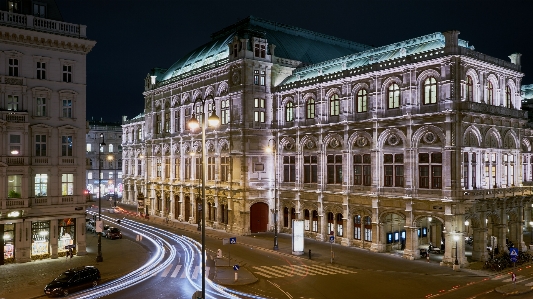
[(409, 47)]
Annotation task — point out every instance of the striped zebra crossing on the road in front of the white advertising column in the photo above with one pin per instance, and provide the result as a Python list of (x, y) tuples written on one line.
[(297, 270)]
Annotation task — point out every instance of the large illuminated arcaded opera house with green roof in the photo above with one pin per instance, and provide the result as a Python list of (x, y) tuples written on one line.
[(388, 148)]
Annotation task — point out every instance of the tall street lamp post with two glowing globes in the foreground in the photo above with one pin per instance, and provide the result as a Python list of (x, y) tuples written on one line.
[(194, 124)]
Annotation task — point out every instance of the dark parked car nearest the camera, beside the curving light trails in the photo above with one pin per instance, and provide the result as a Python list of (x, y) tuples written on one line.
[(73, 280)]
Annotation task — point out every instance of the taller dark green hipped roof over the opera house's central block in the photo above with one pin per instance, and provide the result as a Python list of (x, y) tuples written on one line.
[(291, 42)]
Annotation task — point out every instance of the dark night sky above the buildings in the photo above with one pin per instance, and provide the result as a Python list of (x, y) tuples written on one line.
[(134, 36)]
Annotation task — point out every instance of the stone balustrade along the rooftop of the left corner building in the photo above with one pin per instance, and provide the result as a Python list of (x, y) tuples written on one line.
[(41, 24)]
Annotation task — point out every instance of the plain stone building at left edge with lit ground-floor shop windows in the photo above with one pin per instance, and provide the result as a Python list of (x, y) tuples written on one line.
[(42, 119)]
